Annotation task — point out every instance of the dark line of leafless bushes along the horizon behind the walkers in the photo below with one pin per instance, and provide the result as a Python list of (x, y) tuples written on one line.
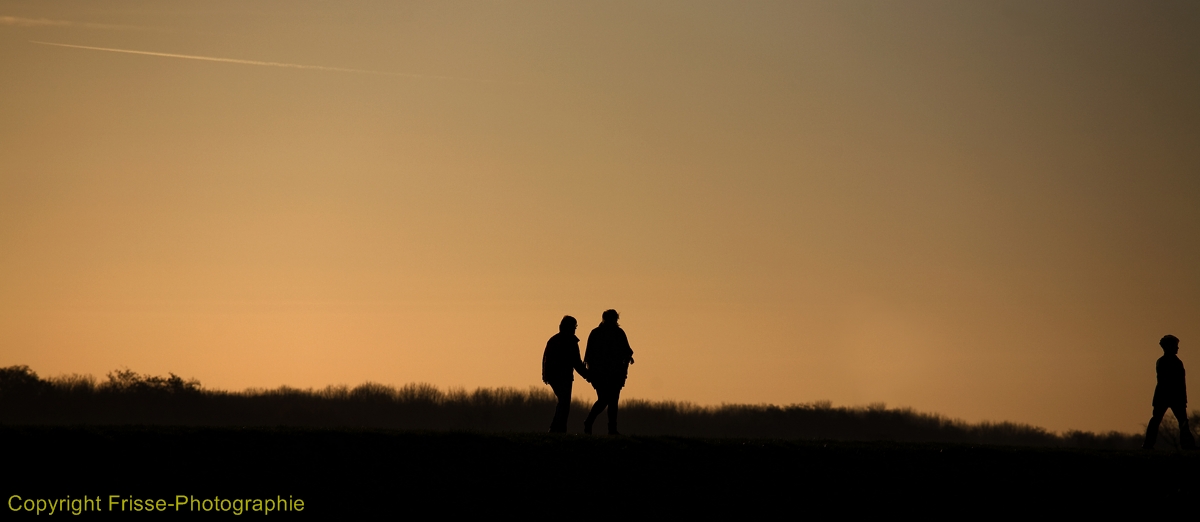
[(129, 399)]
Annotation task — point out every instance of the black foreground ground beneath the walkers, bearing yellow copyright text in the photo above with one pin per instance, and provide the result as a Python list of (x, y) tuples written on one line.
[(405, 475)]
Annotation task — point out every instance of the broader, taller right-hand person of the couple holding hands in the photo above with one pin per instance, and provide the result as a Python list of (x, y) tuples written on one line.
[(608, 359)]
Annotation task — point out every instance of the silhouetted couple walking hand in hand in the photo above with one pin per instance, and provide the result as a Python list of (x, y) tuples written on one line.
[(605, 365)]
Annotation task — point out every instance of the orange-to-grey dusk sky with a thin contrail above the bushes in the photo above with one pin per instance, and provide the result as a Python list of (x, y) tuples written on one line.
[(986, 209)]
